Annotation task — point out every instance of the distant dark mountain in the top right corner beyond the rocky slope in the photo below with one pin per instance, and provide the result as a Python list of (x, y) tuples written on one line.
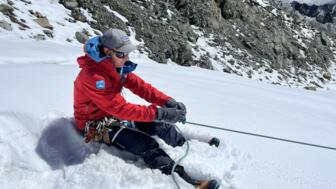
[(323, 13)]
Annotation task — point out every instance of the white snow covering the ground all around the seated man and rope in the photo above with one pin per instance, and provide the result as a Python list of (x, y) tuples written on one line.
[(37, 140)]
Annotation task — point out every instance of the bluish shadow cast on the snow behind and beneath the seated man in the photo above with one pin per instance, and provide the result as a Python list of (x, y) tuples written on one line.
[(61, 144)]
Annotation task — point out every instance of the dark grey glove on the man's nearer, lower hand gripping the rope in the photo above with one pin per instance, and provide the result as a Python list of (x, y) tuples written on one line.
[(171, 115)]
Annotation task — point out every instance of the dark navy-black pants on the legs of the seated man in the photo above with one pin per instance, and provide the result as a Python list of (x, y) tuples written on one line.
[(139, 142)]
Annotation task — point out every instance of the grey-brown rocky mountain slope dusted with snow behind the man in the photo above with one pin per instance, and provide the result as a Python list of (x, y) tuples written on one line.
[(251, 38)]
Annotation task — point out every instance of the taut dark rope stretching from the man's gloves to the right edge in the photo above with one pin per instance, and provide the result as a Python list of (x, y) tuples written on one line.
[(263, 136)]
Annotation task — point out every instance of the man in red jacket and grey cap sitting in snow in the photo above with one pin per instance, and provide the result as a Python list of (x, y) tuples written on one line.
[(103, 115)]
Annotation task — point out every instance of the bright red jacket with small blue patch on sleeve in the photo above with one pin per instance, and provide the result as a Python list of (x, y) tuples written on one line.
[(97, 93)]
